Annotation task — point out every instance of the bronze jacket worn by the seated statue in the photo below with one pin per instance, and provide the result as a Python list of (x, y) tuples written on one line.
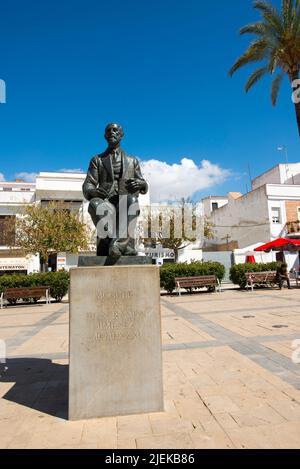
[(101, 175)]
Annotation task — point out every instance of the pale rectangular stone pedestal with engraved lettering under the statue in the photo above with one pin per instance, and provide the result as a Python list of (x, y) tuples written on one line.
[(115, 341)]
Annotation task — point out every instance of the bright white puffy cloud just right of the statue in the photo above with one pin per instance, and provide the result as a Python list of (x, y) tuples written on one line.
[(175, 181)]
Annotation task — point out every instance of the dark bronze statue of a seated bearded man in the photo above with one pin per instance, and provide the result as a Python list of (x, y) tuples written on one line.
[(113, 184)]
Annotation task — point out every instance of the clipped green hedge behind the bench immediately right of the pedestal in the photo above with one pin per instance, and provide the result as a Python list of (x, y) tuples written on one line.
[(168, 272)]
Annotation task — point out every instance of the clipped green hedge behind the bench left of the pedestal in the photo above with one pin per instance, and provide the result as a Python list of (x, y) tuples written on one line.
[(57, 281)]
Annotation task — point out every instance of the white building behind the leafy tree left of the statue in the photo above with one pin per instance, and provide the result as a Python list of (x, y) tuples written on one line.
[(49, 186)]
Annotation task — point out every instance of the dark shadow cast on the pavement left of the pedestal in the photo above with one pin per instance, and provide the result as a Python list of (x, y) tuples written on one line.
[(39, 384)]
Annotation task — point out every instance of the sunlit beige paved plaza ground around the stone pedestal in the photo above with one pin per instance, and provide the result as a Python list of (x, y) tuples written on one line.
[(229, 378)]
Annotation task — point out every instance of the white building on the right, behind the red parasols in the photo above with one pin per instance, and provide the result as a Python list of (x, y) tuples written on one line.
[(271, 210)]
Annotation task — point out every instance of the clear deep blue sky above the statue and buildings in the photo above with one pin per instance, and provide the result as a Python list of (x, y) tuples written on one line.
[(160, 68)]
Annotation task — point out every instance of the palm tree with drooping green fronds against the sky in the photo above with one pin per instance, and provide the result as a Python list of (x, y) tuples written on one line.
[(276, 45)]
